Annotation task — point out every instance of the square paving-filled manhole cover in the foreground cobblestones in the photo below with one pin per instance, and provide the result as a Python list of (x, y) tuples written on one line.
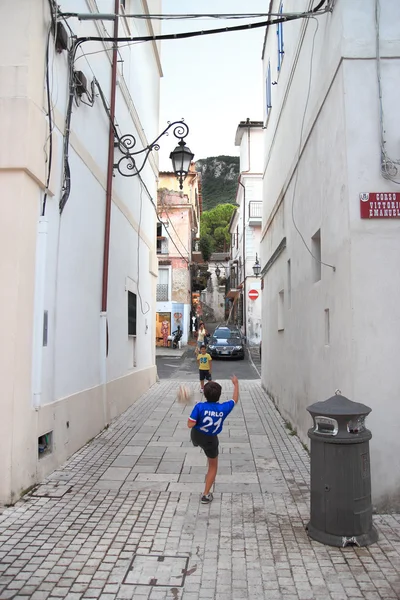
[(157, 571)]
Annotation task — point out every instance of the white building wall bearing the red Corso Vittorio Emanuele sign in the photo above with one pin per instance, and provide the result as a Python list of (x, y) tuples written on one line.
[(331, 316)]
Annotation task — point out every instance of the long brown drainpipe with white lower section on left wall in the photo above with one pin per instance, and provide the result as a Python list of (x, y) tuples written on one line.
[(107, 224)]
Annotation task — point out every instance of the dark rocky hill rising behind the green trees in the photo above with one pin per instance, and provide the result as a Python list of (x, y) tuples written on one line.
[(219, 177)]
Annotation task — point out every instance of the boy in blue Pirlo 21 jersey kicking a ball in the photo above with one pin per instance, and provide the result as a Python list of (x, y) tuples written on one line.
[(206, 422)]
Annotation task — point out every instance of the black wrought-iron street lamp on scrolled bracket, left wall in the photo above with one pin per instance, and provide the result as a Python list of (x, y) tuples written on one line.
[(181, 157)]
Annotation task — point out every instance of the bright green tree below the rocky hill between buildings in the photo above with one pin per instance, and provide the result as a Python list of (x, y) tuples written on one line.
[(214, 225)]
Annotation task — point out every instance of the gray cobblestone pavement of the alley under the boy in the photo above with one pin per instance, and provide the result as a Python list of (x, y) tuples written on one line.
[(122, 519)]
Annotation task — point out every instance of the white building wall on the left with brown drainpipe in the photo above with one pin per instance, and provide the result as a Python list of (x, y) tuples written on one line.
[(78, 258)]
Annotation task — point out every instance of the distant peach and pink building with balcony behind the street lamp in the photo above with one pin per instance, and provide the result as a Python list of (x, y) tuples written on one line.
[(177, 227)]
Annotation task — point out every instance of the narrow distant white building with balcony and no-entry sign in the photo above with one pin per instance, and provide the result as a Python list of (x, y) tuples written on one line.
[(244, 290)]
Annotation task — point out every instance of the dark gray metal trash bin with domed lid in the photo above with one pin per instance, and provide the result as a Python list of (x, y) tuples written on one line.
[(341, 508)]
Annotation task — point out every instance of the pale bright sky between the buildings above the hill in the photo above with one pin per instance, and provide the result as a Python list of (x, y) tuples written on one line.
[(213, 81)]
